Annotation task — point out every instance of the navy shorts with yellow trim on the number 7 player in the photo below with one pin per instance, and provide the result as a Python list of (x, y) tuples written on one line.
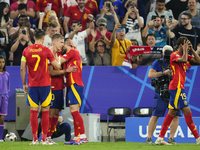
[(39, 95)]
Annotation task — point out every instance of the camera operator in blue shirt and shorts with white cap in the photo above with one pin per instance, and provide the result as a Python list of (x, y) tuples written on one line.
[(159, 70)]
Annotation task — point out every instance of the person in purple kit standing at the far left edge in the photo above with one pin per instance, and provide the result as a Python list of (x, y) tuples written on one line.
[(4, 88)]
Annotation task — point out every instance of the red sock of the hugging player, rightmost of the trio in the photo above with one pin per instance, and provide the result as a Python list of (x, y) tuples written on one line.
[(79, 122)]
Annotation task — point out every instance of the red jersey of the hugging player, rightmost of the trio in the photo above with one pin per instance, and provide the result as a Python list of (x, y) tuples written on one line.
[(73, 58)]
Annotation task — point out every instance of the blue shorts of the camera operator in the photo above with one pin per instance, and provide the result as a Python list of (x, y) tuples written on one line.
[(160, 106)]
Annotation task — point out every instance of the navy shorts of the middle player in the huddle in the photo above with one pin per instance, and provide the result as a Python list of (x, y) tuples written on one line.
[(57, 100)]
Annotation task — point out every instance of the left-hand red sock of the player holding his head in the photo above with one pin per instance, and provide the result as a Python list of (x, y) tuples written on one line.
[(165, 126)]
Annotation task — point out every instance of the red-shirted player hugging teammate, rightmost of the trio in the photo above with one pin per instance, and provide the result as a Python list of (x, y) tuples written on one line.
[(74, 91)]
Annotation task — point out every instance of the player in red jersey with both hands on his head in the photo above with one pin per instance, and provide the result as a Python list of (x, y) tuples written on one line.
[(178, 99)]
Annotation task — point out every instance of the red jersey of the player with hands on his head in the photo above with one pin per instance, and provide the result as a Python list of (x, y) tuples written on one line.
[(178, 71)]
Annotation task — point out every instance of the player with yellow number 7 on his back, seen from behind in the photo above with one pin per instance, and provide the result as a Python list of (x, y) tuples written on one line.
[(36, 57)]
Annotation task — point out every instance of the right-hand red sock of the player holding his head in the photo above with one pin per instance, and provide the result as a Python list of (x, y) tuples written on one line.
[(191, 125)]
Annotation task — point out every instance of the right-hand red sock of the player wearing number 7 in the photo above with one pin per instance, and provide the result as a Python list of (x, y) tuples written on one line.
[(45, 124)]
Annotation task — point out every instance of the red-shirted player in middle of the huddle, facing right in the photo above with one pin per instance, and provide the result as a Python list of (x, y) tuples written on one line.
[(57, 85)]
